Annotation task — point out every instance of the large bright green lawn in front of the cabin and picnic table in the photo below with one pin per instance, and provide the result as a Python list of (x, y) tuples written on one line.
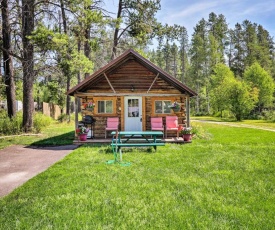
[(227, 182)]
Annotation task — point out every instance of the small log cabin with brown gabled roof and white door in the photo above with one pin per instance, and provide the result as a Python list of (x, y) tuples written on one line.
[(134, 89)]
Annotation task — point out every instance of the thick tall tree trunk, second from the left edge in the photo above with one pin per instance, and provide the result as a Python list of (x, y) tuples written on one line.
[(28, 73)]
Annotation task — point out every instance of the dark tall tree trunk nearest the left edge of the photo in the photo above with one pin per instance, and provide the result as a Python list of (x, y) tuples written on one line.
[(7, 60)]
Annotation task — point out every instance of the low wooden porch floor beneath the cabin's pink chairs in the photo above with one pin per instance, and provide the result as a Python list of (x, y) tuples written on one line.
[(109, 140)]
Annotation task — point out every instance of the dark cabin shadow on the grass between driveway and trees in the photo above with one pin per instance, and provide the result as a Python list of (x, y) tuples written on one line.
[(63, 139)]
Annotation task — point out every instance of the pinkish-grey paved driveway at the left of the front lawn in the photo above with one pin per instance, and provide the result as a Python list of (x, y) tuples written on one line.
[(18, 163)]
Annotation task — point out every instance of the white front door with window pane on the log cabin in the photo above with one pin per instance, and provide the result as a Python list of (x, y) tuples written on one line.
[(133, 113)]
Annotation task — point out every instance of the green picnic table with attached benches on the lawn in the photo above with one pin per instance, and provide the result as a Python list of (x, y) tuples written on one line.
[(135, 139)]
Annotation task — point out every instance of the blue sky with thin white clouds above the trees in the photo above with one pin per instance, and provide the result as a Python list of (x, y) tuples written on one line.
[(188, 13)]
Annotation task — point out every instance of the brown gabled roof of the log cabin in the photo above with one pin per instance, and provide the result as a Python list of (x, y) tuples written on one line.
[(129, 54)]
